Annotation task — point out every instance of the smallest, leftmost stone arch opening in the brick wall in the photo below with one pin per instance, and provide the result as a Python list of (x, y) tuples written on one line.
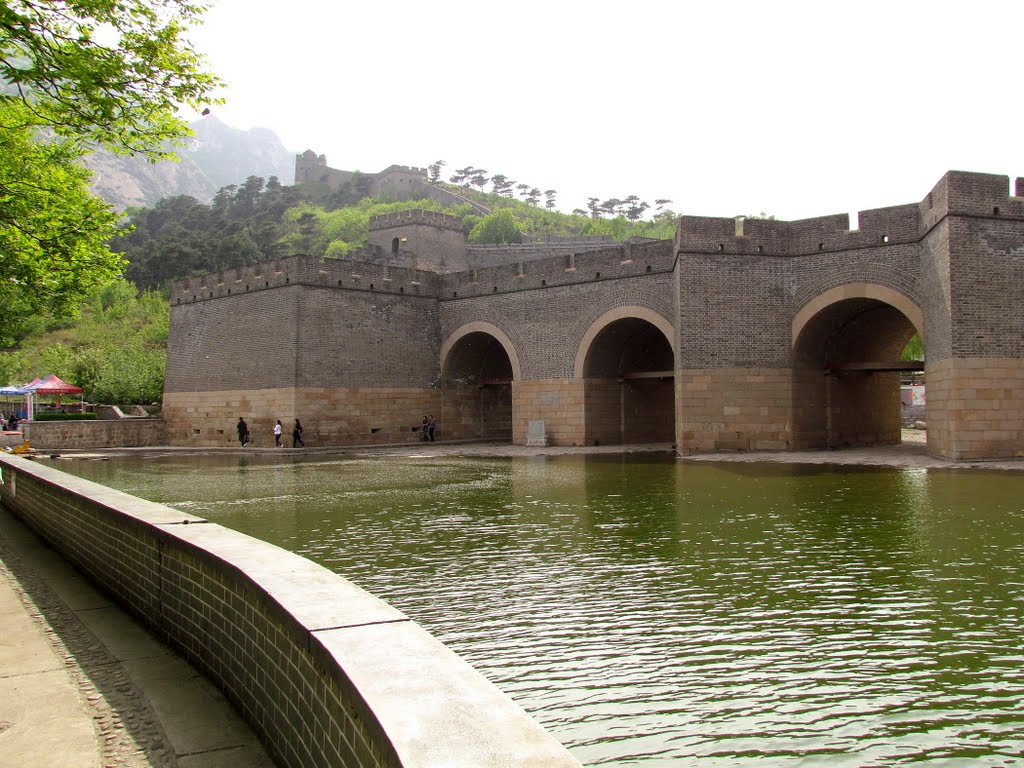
[(477, 388)]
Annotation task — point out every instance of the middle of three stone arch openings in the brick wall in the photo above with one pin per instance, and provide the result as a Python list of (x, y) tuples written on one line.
[(628, 367)]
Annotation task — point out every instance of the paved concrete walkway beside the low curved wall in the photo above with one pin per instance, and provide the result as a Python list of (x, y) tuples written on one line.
[(82, 686)]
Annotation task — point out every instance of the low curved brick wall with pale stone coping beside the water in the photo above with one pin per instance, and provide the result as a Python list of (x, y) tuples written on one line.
[(325, 673)]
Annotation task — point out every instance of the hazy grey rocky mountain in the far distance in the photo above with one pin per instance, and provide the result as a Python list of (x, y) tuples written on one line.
[(218, 156)]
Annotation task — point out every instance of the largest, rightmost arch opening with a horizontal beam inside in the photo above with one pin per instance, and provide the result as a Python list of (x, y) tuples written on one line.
[(847, 370)]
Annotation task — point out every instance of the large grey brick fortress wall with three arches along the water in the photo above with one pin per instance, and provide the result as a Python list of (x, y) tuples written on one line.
[(738, 335)]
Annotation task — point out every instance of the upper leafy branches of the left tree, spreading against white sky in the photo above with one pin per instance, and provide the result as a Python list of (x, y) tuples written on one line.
[(107, 72)]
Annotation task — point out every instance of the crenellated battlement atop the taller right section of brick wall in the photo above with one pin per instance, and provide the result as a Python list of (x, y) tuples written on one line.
[(958, 194)]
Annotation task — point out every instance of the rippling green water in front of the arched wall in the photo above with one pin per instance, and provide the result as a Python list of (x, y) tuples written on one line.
[(655, 613)]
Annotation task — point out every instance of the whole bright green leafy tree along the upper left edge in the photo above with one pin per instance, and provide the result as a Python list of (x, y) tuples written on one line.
[(79, 74)]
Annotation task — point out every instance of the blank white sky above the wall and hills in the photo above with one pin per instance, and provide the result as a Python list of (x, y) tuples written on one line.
[(790, 109)]
